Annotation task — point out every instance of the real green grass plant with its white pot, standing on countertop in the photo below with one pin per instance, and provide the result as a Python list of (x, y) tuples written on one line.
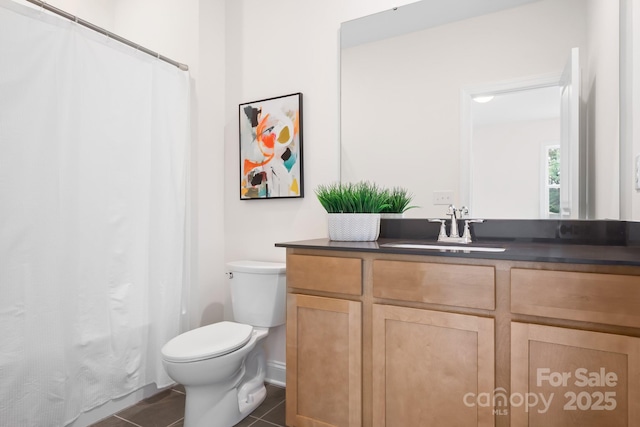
[(354, 209)]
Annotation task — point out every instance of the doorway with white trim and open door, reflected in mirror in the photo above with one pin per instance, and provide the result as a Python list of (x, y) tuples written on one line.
[(521, 144)]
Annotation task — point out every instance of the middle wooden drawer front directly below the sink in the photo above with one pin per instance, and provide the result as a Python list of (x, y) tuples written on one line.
[(457, 285)]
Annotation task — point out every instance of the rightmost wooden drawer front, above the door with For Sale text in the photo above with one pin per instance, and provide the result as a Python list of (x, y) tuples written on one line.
[(591, 297)]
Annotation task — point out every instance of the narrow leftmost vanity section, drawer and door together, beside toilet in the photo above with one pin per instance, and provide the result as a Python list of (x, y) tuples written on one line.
[(324, 342)]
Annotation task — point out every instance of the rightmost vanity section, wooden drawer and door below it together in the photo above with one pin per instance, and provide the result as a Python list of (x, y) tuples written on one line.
[(567, 376)]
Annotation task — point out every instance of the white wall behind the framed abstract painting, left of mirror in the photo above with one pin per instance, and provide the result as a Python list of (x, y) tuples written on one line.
[(275, 48)]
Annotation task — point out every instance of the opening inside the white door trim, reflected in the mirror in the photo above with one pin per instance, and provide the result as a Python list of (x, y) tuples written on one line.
[(515, 139)]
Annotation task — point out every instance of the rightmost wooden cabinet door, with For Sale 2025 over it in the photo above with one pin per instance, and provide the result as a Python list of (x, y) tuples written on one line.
[(573, 378)]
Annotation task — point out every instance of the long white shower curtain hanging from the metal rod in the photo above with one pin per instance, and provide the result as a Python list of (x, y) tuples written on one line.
[(94, 141)]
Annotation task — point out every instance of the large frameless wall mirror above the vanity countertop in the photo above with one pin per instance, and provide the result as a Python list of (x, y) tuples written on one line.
[(509, 107)]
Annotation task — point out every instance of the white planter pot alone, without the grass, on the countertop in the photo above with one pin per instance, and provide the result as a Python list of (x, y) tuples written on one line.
[(354, 227)]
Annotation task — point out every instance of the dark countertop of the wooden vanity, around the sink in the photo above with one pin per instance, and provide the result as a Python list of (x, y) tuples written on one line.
[(515, 251)]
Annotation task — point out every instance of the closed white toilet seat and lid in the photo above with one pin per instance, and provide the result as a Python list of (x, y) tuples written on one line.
[(207, 342)]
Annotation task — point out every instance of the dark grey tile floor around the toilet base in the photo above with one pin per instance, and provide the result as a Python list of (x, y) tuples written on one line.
[(166, 409)]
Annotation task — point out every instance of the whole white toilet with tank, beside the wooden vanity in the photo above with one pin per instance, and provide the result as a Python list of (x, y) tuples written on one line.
[(222, 366)]
